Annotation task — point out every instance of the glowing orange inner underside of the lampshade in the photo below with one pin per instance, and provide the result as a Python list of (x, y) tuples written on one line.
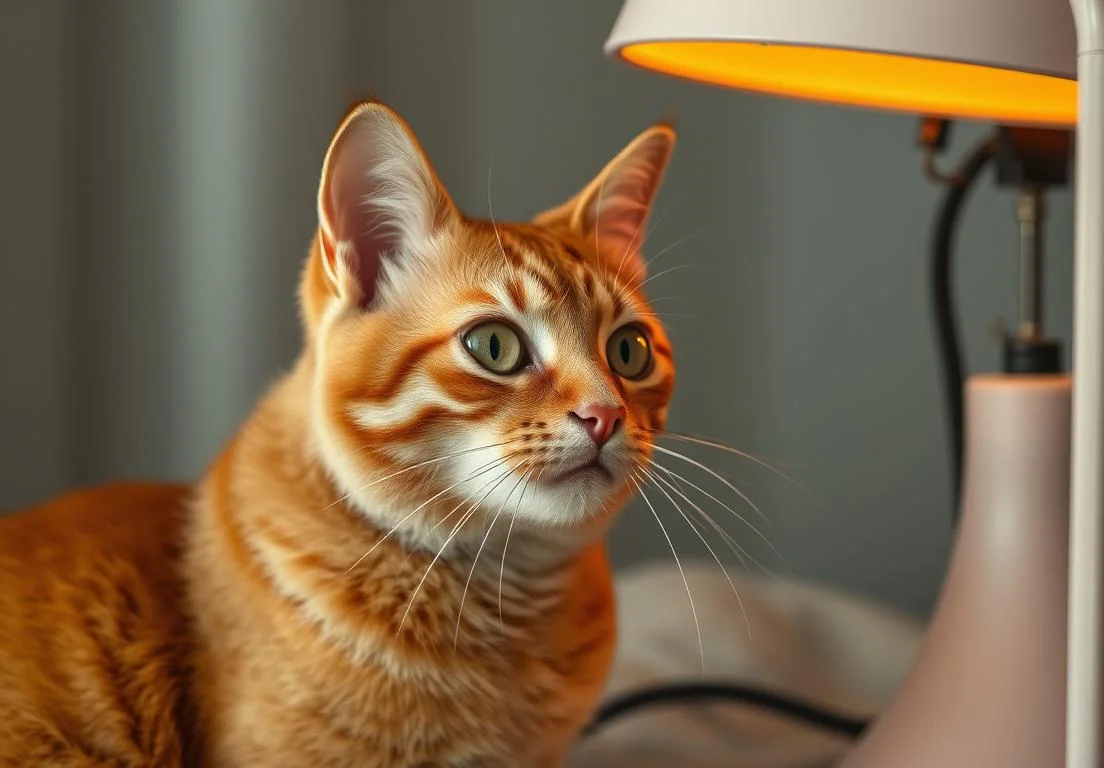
[(873, 80)]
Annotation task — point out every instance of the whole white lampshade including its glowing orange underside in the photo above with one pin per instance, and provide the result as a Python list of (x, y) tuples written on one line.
[(1007, 61)]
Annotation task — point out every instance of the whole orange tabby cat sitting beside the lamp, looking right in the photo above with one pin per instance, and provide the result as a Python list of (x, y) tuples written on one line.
[(399, 560)]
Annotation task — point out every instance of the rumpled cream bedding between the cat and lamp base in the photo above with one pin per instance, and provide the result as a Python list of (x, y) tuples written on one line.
[(836, 652)]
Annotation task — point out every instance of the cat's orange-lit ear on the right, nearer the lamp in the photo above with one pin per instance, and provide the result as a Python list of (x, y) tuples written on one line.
[(613, 210)]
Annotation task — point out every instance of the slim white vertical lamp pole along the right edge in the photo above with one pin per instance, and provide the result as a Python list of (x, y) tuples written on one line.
[(1087, 493)]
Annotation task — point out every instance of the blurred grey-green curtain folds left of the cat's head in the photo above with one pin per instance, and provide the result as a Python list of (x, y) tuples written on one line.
[(169, 158)]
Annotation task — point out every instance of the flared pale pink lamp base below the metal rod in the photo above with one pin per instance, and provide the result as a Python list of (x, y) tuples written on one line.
[(989, 688)]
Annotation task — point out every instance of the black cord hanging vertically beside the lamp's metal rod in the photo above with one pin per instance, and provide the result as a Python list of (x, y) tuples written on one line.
[(951, 355)]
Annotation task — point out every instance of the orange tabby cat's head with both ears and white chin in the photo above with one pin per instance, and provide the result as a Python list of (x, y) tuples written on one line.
[(462, 365)]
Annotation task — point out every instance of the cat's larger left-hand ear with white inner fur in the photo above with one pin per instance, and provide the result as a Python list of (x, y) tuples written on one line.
[(379, 200)]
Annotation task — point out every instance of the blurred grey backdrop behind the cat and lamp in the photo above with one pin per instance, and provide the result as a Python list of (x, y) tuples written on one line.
[(160, 167)]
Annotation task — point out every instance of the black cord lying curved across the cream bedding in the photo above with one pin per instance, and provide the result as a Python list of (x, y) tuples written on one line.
[(726, 692)]
